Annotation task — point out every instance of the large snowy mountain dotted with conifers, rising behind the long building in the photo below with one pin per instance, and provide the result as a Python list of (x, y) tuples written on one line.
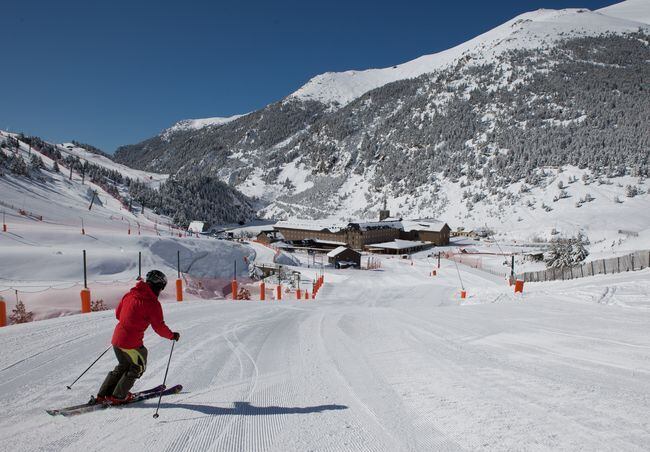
[(481, 133)]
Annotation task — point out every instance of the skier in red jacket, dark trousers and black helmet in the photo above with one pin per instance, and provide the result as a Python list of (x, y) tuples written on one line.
[(138, 309)]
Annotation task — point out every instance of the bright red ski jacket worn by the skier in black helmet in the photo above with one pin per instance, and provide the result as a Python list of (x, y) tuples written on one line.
[(138, 309)]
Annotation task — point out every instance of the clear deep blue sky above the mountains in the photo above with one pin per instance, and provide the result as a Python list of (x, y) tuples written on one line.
[(117, 72)]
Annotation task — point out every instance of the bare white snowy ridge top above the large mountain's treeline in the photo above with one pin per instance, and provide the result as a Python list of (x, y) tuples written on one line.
[(536, 29)]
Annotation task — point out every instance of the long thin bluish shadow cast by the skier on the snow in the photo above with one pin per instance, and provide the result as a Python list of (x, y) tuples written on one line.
[(246, 409)]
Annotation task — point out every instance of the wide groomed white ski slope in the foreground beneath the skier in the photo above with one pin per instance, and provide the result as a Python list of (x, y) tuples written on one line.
[(384, 360)]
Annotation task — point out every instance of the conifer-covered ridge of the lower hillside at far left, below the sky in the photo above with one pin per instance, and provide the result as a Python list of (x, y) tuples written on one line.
[(182, 198)]
